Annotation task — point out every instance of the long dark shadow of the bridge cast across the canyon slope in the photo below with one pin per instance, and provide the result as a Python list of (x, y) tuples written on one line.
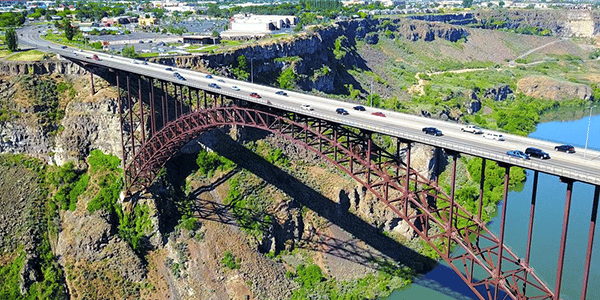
[(446, 281)]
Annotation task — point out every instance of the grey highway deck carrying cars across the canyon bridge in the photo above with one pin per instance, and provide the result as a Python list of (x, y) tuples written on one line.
[(404, 126)]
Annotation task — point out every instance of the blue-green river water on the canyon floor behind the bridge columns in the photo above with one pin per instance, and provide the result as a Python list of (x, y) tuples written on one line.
[(441, 283)]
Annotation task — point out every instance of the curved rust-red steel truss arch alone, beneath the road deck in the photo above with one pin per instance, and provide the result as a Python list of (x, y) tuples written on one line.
[(474, 252)]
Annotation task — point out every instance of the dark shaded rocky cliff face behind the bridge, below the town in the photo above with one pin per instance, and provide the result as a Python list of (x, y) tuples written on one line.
[(315, 50)]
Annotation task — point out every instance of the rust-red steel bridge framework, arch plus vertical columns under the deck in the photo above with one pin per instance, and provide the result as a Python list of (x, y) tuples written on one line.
[(159, 117)]
